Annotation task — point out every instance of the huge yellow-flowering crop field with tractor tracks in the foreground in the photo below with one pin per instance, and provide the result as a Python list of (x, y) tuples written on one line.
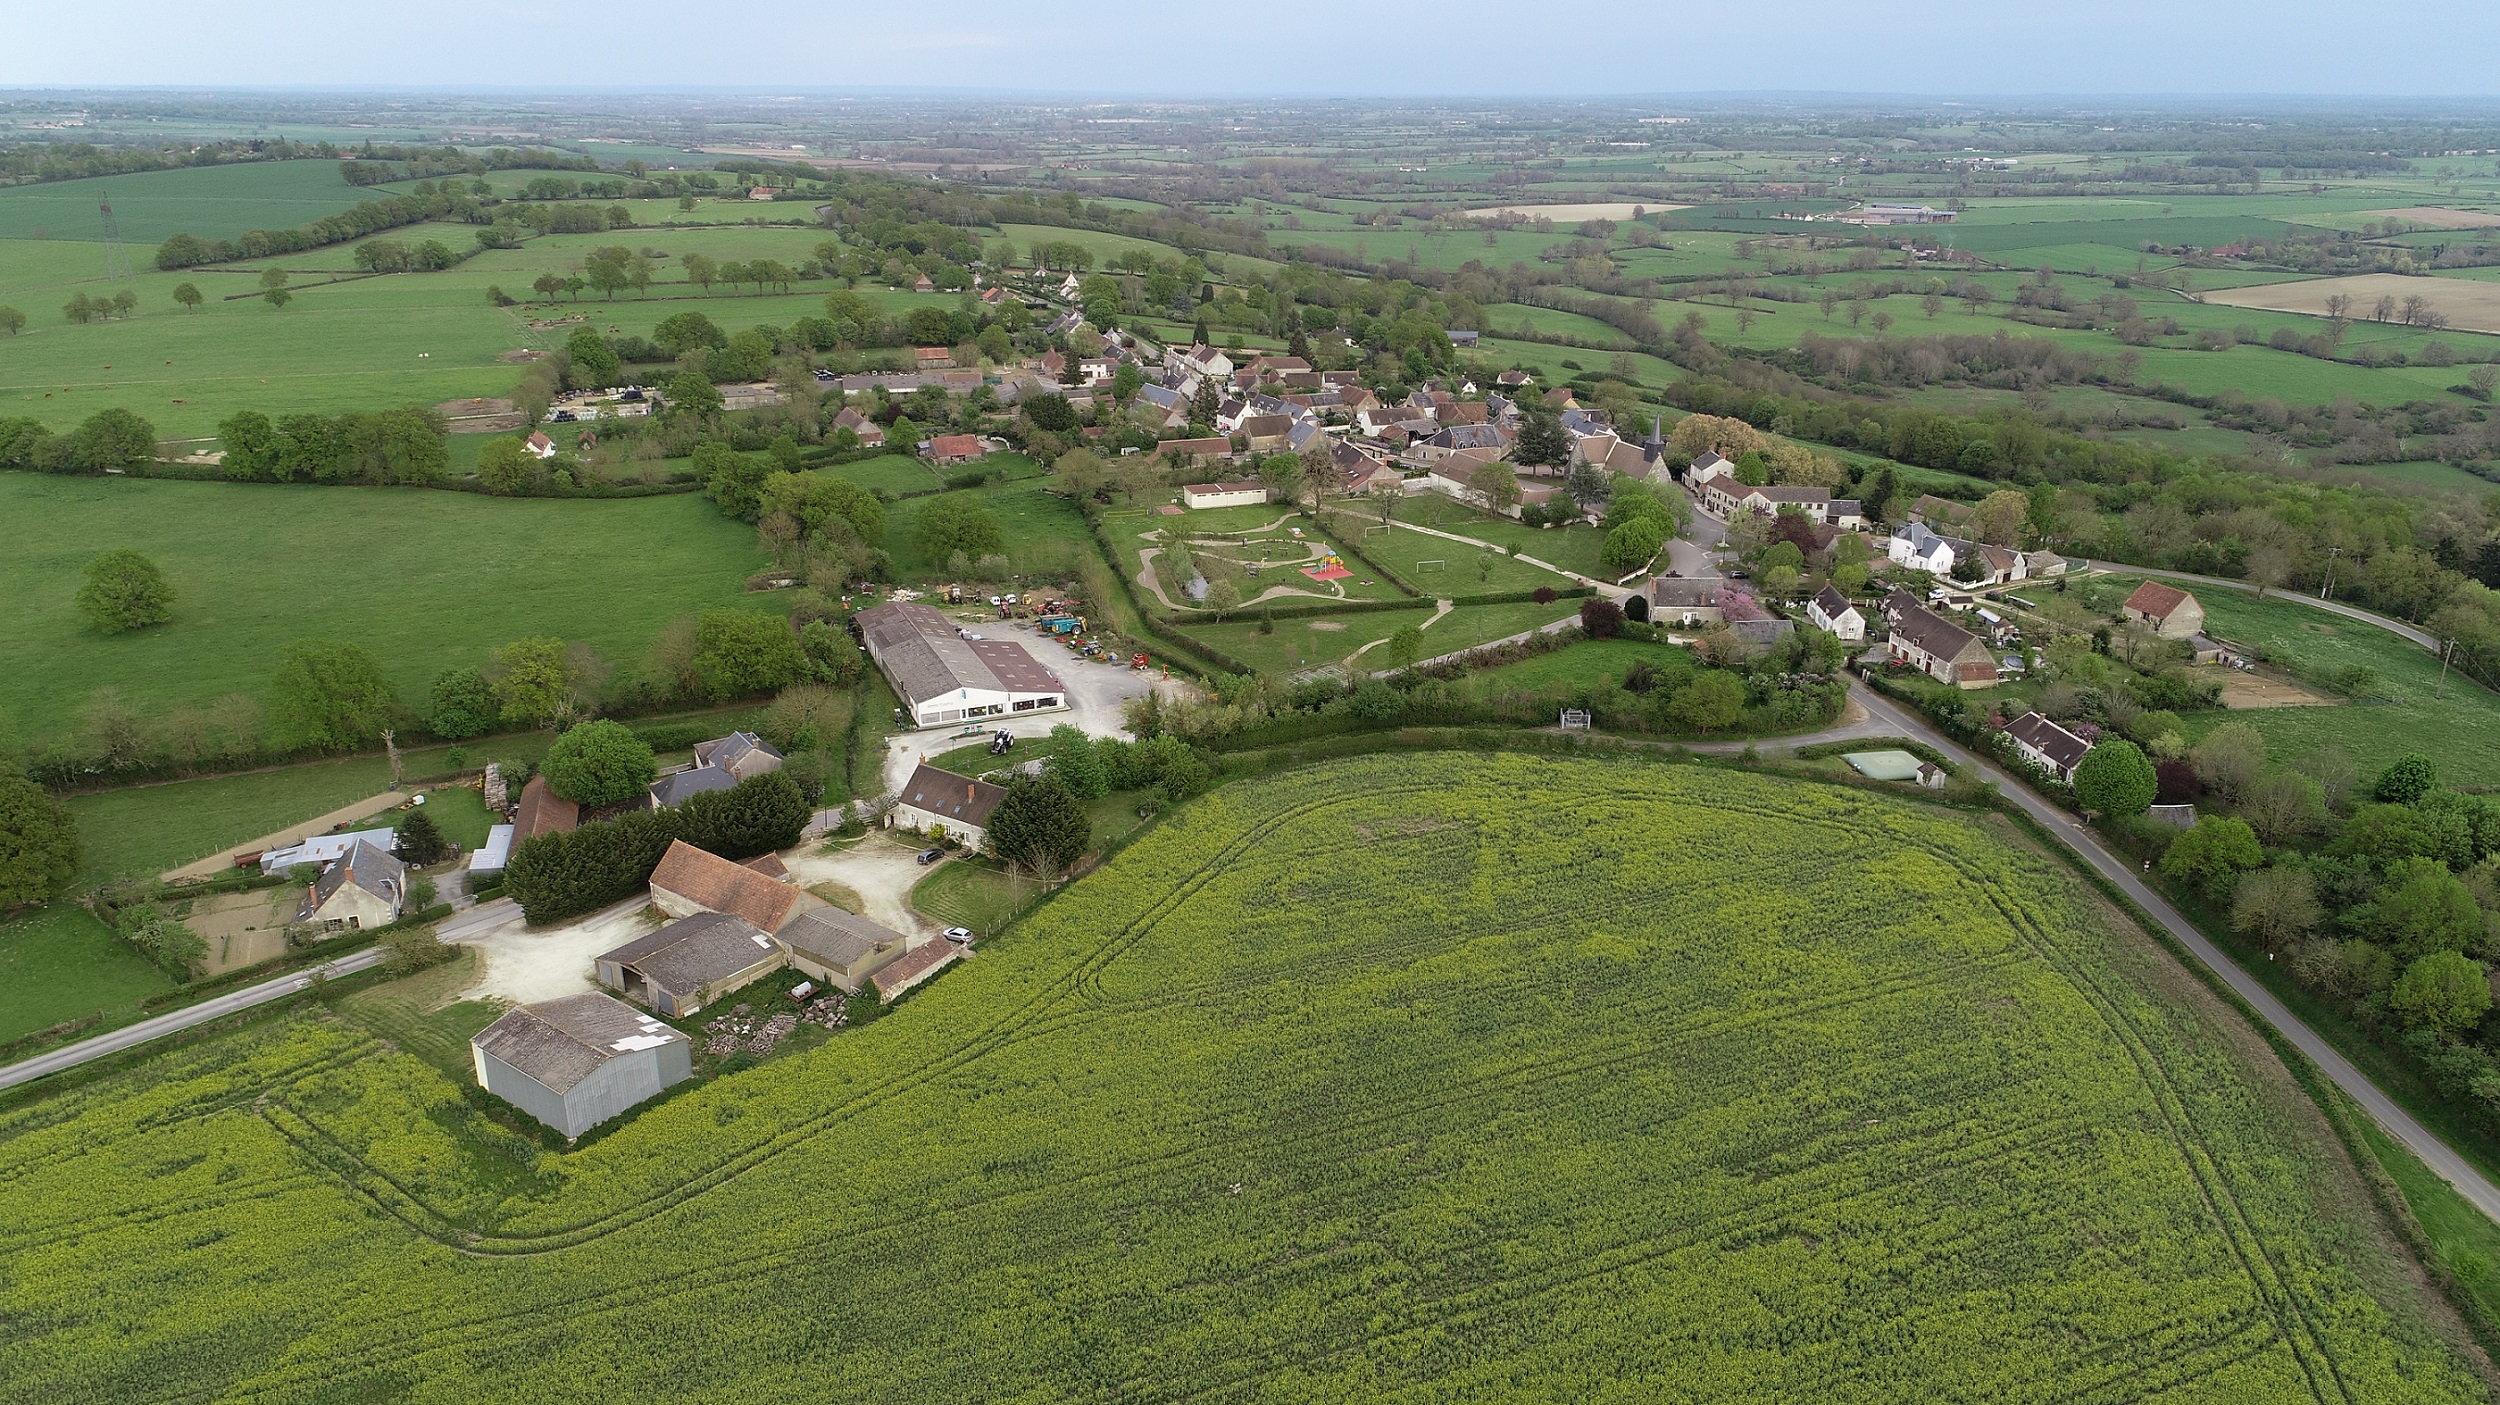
[(1399, 1079)]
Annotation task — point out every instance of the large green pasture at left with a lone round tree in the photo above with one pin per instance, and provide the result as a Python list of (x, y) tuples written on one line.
[(421, 579)]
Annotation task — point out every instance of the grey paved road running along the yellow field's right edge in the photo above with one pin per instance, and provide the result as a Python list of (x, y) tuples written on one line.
[(2339, 1069)]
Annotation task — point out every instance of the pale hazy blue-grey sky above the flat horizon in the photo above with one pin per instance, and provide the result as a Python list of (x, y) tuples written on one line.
[(1359, 49)]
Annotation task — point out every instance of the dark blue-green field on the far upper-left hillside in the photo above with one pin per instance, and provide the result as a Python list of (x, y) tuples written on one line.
[(209, 201)]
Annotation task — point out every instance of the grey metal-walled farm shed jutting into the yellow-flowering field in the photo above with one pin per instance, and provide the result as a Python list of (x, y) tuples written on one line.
[(579, 1061)]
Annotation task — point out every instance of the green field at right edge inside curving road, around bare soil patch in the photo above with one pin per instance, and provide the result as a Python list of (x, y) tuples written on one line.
[(2459, 724)]
